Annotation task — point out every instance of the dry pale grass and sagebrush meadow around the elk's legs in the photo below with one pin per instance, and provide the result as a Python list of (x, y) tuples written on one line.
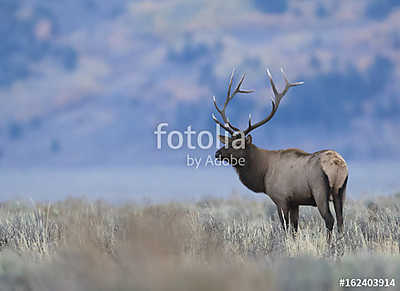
[(213, 244)]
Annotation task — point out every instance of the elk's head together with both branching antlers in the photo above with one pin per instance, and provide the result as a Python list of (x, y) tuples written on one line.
[(237, 146)]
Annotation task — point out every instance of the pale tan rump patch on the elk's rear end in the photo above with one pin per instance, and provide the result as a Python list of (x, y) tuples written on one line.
[(335, 168)]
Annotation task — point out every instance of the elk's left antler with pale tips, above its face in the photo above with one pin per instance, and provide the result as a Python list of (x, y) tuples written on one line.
[(228, 126)]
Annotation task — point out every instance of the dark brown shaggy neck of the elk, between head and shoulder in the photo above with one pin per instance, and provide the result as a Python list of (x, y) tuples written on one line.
[(252, 174)]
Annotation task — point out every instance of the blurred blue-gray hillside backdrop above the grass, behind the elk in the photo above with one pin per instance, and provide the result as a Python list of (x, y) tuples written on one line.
[(83, 84)]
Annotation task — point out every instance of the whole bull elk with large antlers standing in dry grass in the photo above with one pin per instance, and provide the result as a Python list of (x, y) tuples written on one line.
[(290, 177)]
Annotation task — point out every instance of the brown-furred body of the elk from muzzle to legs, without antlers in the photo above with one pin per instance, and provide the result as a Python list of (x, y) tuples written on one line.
[(292, 177)]
